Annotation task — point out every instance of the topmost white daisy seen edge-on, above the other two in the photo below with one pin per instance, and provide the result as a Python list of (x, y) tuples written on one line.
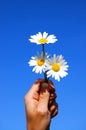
[(43, 38)]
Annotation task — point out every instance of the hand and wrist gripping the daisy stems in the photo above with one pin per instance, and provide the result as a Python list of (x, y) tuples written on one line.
[(40, 105)]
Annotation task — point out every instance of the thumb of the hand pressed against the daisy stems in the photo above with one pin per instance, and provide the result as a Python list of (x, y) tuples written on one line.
[(44, 97)]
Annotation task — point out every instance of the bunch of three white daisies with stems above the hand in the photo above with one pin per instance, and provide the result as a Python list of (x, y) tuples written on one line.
[(55, 66)]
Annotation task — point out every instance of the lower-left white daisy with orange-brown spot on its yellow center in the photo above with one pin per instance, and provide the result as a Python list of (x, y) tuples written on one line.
[(39, 62)]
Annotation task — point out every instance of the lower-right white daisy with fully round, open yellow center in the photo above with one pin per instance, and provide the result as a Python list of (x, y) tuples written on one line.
[(56, 67)]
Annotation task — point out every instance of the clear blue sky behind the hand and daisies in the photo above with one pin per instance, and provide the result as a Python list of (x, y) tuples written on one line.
[(20, 19)]
